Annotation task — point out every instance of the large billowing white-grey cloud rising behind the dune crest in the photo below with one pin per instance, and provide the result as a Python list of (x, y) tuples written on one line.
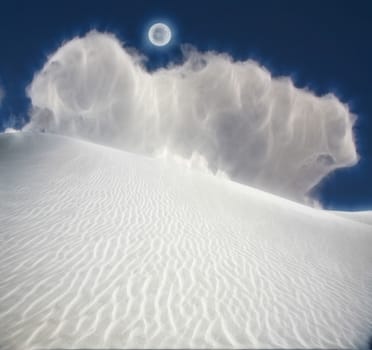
[(232, 115)]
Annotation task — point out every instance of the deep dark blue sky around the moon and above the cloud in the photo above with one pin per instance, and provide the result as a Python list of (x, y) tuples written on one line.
[(323, 45)]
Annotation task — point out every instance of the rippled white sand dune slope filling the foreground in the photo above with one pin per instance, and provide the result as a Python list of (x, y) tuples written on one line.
[(101, 248)]
